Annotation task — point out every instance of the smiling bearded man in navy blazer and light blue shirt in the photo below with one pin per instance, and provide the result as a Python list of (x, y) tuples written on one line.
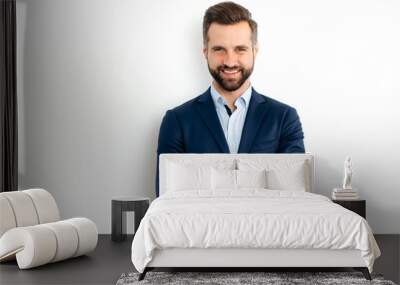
[(231, 116)]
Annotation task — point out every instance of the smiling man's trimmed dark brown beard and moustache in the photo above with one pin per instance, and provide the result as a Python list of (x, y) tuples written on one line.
[(231, 84)]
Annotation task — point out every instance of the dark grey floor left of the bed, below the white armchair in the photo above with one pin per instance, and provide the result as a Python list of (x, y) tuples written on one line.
[(102, 266)]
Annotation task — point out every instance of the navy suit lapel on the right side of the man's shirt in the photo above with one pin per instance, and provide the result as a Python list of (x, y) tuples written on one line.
[(254, 116)]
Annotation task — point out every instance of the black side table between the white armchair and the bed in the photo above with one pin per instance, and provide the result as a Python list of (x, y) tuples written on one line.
[(119, 207)]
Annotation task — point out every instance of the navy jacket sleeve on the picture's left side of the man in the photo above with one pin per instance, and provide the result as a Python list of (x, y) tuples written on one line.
[(170, 139)]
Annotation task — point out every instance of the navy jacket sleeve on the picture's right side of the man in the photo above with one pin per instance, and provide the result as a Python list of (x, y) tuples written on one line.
[(291, 139)]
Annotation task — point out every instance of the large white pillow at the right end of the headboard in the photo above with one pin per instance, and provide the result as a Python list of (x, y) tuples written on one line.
[(282, 174)]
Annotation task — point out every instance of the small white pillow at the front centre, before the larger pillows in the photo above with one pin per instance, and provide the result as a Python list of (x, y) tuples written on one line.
[(237, 179)]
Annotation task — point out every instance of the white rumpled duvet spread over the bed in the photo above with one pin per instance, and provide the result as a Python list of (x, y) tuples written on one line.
[(250, 218)]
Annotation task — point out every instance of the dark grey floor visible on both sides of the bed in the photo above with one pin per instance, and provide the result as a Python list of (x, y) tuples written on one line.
[(111, 259)]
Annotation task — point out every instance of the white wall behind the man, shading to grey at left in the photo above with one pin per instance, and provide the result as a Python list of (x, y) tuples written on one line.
[(96, 77)]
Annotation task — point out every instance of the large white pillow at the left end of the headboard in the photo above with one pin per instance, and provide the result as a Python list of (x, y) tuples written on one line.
[(188, 177)]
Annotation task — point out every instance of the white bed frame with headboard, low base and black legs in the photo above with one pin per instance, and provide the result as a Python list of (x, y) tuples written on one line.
[(248, 259)]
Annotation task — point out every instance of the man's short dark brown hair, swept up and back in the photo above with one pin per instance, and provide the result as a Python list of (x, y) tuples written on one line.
[(228, 13)]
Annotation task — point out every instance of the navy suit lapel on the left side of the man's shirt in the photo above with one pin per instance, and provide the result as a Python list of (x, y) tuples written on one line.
[(205, 106)]
